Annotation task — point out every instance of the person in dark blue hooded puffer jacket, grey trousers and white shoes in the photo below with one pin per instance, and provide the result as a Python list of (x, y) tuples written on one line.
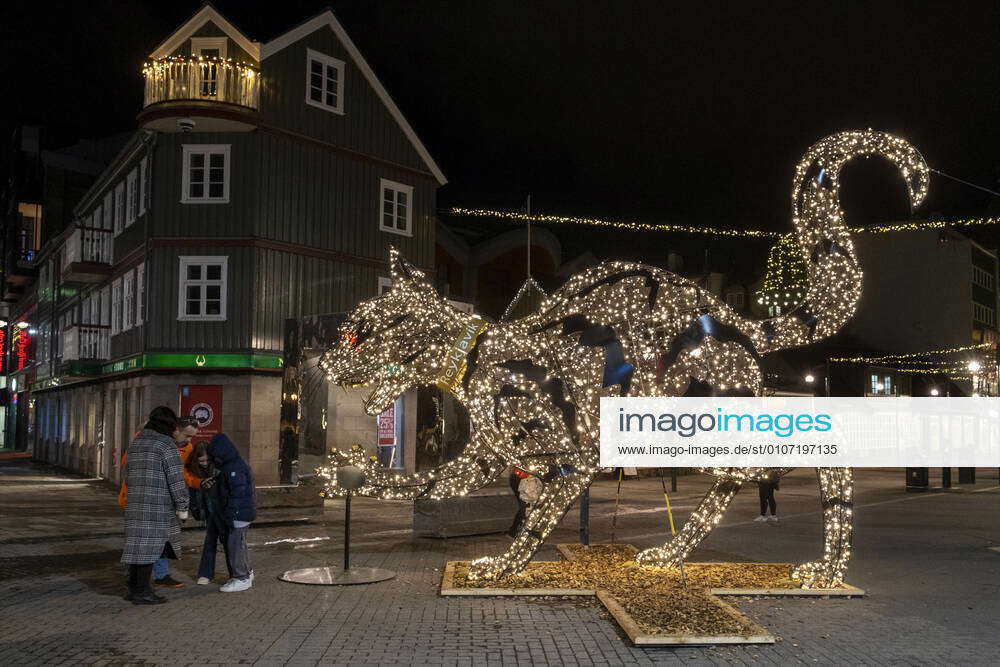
[(236, 498)]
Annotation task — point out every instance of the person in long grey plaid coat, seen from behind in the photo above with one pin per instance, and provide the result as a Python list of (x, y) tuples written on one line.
[(157, 502)]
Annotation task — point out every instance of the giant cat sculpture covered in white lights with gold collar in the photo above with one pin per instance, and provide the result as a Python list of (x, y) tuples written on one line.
[(532, 386)]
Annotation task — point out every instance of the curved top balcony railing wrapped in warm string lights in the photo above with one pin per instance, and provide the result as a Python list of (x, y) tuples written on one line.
[(201, 78)]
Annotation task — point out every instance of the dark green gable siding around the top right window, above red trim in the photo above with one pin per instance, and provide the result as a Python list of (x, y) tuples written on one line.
[(366, 125)]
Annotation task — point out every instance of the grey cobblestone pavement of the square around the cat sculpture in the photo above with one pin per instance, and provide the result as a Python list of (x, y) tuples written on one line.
[(925, 559)]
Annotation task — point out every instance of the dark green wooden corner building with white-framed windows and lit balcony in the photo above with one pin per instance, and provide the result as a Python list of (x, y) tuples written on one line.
[(264, 182)]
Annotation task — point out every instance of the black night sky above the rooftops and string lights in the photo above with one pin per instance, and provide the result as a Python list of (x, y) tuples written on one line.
[(684, 112)]
